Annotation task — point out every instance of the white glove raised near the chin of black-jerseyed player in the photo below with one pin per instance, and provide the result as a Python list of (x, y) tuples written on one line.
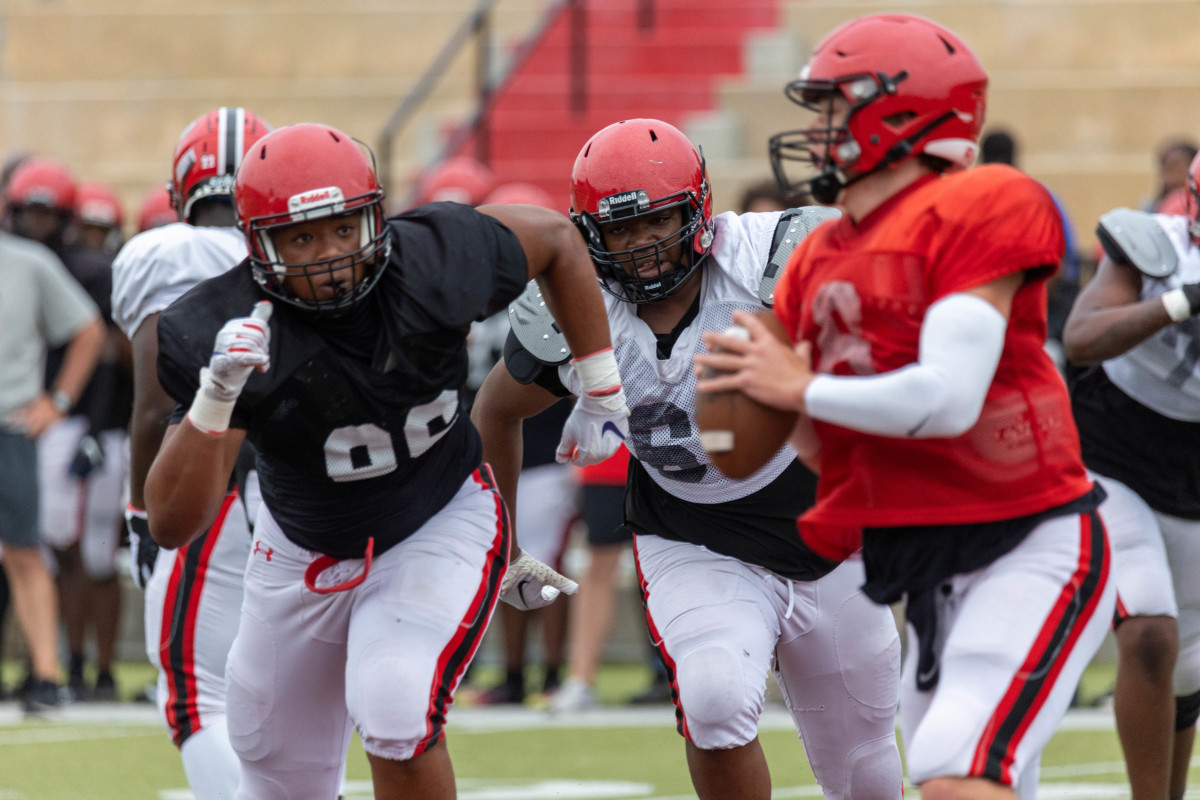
[(243, 346)]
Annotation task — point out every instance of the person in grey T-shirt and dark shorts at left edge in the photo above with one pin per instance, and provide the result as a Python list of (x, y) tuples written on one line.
[(44, 308)]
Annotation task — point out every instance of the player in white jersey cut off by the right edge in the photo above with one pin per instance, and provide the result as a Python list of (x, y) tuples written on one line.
[(1139, 423)]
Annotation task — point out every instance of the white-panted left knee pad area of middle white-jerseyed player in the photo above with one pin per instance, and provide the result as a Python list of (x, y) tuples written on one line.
[(721, 708)]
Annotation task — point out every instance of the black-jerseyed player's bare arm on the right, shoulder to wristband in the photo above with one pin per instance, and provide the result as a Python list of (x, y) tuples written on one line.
[(560, 261)]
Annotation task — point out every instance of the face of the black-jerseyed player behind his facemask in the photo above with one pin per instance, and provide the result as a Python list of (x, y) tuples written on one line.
[(326, 244)]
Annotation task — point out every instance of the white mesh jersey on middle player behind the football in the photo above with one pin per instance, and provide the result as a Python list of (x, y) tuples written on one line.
[(662, 394)]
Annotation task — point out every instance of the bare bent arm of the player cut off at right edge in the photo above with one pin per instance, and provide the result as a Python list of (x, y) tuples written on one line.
[(1111, 317)]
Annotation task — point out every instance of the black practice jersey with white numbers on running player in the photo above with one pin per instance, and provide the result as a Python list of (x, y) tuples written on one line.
[(358, 423)]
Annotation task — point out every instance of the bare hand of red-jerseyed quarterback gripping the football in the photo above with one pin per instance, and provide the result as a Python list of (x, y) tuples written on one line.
[(761, 366)]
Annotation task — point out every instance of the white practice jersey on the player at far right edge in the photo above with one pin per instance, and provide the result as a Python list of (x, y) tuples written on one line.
[(1163, 372)]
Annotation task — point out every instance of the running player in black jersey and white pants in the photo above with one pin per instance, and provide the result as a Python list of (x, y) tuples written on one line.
[(381, 546)]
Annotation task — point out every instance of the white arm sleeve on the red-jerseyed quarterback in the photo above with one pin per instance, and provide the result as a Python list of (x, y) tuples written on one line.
[(941, 395)]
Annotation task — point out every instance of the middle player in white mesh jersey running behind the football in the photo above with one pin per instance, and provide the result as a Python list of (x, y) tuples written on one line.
[(730, 590)]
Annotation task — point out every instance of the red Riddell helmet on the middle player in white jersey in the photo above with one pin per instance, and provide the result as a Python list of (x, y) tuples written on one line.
[(629, 170)]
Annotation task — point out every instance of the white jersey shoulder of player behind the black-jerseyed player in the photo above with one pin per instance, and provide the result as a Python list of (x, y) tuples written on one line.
[(159, 266)]
